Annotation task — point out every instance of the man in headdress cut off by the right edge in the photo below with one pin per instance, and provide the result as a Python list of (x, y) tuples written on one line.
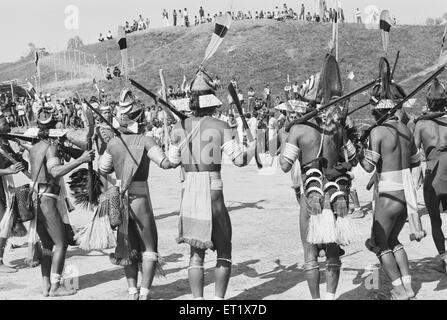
[(431, 134)]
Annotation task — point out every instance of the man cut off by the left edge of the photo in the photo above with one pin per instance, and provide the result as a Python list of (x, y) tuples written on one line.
[(7, 169)]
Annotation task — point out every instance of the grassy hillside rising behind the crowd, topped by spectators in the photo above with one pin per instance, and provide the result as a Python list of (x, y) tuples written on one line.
[(257, 53)]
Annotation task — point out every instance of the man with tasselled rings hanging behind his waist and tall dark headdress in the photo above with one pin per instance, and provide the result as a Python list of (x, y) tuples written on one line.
[(320, 145)]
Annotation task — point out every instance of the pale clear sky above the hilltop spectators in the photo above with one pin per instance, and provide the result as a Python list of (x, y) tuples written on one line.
[(44, 22)]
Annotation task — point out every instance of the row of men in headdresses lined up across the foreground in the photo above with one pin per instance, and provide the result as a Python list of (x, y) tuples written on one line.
[(320, 152)]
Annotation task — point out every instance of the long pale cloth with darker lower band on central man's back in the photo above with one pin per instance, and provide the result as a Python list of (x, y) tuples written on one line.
[(195, 225)]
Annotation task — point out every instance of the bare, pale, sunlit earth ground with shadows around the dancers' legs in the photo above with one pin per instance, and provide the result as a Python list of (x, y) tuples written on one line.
[(267, 253)]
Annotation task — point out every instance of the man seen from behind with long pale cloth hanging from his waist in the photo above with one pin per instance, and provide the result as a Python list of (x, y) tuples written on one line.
[(197, 143)]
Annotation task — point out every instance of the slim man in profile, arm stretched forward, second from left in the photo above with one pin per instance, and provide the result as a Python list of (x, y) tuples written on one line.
[(46, 170)]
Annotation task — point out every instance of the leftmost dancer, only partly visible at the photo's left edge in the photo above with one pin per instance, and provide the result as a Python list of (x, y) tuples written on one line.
[(6, 171)]
